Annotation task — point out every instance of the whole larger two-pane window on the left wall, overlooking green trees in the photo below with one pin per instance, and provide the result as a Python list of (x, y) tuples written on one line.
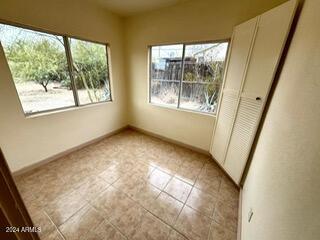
[(52, 72)]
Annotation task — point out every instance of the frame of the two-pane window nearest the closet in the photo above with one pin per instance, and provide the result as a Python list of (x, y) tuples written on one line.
[(178, 107)]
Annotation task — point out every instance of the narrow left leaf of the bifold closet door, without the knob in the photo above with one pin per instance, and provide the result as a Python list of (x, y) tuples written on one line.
[(241, 43)]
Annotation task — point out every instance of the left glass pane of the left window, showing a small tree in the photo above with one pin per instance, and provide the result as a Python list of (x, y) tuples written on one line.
[(39, 68)]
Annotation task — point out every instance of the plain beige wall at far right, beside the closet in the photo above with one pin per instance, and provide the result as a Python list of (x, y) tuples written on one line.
[(283, 183)]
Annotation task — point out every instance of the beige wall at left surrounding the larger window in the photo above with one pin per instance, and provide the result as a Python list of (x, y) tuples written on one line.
[(29, 140)]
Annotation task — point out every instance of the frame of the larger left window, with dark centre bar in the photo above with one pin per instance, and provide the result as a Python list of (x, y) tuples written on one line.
[(68, 54)]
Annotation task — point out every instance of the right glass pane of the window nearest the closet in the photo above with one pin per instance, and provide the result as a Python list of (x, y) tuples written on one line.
[(203, 74)]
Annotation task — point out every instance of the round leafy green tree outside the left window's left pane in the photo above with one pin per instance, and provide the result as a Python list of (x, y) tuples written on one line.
[(41, 61)]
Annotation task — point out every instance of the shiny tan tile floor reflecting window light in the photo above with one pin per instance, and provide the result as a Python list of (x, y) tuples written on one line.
[(131, 186)]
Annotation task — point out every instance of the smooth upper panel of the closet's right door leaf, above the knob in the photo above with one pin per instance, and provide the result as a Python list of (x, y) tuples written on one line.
[(272, 32)]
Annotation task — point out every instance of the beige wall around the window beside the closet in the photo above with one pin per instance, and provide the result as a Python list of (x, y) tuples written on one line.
[(191, 21)]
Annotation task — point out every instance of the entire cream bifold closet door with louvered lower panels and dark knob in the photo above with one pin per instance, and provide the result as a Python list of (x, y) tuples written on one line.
[(256, 48)]
